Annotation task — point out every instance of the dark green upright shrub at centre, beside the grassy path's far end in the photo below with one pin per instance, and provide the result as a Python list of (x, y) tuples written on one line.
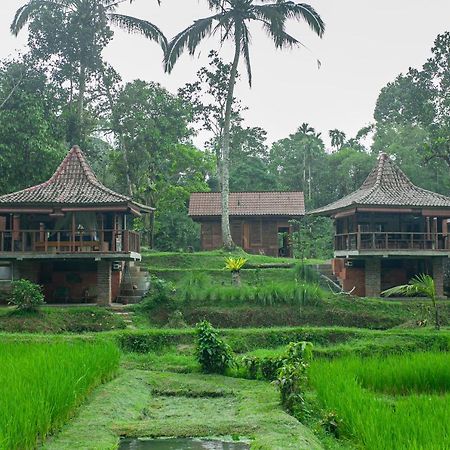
[(213, 354)]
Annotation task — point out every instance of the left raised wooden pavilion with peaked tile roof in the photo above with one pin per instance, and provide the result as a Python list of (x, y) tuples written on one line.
[(70, 234)]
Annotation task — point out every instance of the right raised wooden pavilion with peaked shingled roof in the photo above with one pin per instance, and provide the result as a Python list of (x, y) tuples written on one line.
[(388, 231)]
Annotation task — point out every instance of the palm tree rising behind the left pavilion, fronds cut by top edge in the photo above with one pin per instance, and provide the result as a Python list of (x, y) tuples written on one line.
[(88, 14)]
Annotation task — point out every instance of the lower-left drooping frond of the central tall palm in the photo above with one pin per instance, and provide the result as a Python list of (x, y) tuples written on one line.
[(189, 38)]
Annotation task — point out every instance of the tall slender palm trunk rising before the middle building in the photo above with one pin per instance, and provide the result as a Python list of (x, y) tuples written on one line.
[(225, 166)]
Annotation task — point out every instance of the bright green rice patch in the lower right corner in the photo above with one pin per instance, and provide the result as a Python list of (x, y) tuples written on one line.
[(397, 402)]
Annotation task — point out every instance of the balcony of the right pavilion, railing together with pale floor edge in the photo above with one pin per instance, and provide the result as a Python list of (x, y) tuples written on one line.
[(391, 243)]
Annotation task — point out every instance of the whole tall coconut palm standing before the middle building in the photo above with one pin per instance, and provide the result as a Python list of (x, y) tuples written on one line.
[(231, 20)]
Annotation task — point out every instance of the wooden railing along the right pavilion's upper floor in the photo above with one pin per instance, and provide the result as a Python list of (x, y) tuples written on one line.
[(392, 241)]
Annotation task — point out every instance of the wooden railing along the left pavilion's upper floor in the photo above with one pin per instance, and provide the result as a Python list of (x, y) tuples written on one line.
[(65, 241)]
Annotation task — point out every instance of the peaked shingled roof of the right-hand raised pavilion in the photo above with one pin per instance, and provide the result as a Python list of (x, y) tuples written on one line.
[(387, 186)]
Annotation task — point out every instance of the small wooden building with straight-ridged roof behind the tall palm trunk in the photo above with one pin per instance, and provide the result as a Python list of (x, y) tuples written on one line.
[(259, 221)]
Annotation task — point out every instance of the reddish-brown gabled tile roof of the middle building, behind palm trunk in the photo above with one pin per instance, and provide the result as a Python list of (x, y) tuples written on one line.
[(286, 204)]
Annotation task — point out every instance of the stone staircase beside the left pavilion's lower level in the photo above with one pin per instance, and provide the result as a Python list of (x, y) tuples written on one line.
[(135, 284)]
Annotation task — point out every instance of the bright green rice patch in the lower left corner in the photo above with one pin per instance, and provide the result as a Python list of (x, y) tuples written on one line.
[(42, 383)]
